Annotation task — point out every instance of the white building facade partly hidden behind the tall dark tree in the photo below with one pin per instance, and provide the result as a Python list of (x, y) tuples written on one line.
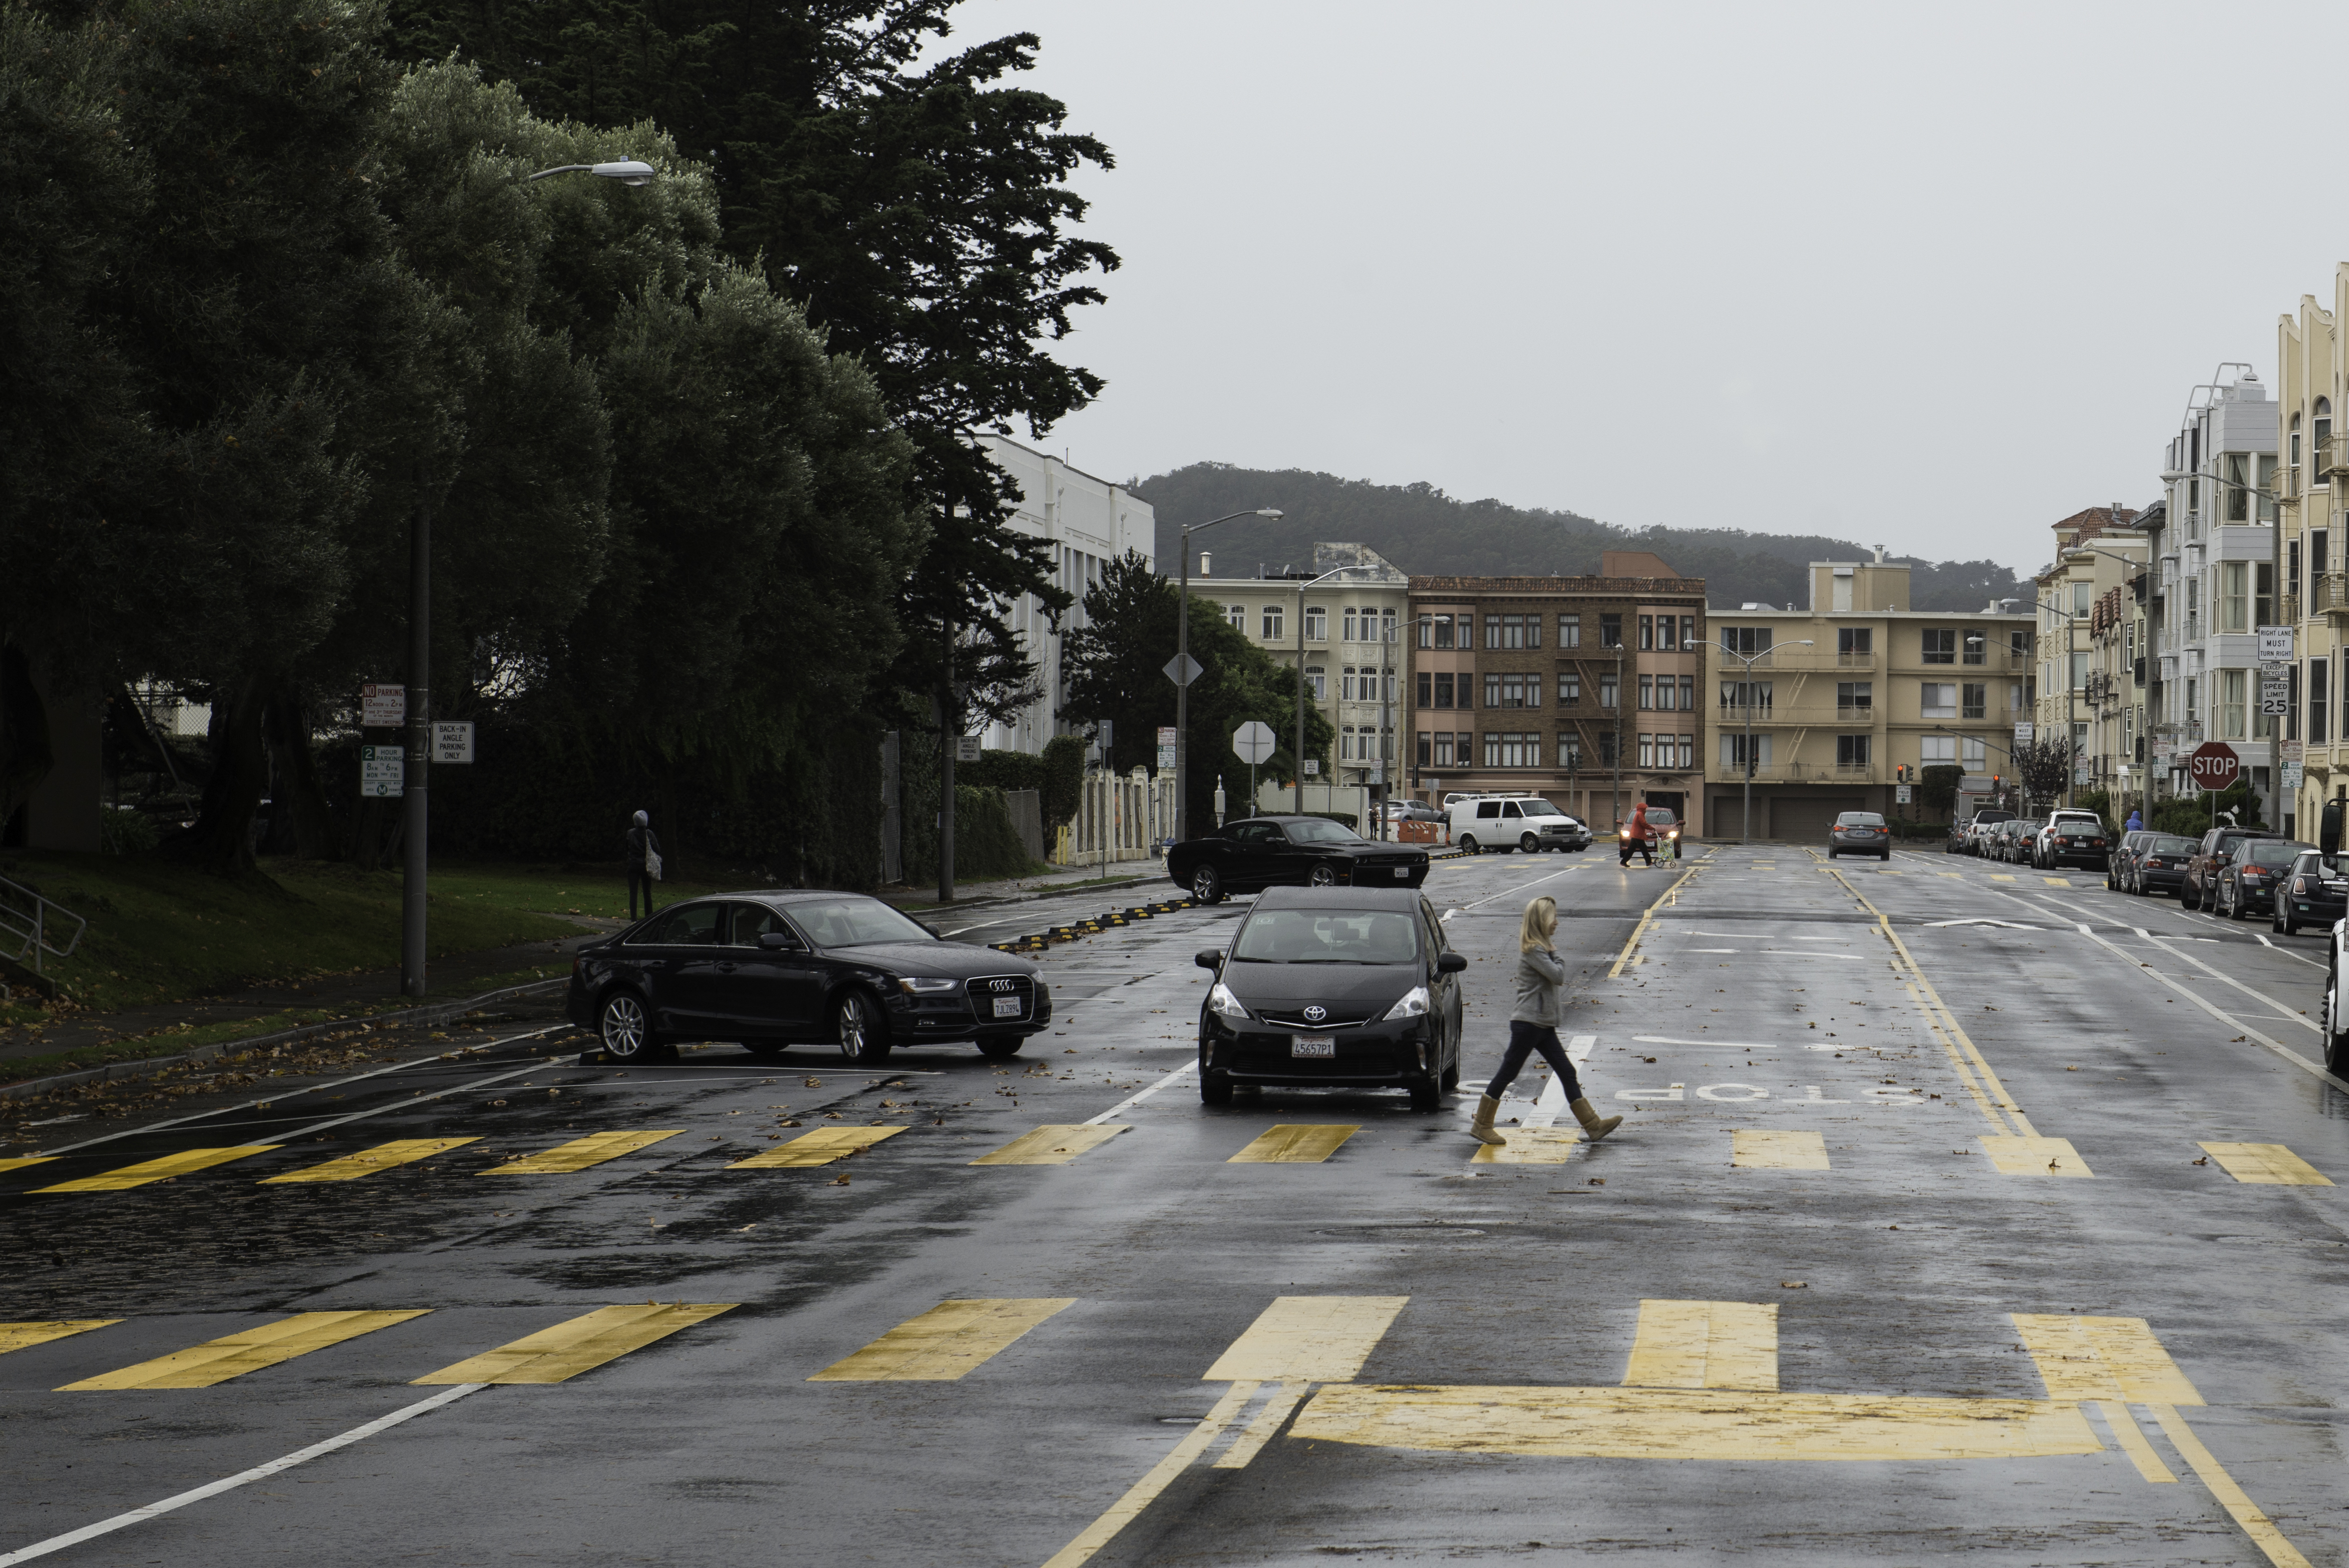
[(1089, 523)]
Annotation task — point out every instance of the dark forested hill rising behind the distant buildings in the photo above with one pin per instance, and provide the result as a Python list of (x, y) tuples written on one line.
[(1425, 530)]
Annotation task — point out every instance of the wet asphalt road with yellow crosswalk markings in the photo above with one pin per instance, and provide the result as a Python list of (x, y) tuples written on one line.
[(1892, 1332)]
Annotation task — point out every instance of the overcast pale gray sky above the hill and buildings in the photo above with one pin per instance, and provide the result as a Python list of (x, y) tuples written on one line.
[(1913, 276)]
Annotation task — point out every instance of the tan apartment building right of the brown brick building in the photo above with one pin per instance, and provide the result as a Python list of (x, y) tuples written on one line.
[(1819, 709)]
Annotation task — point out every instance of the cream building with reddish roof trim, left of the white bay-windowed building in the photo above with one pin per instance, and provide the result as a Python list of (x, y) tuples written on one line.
[(2089, 629)]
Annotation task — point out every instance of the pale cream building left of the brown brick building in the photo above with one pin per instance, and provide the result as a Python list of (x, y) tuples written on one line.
[(1350, 612)]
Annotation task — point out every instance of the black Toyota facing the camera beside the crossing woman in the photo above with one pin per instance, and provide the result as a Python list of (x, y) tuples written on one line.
[(1333, 989)]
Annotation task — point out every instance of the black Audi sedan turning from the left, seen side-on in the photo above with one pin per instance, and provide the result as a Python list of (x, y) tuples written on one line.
[(786, 967)]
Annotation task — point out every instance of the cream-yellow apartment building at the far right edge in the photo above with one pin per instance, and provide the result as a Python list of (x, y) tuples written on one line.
[(2310, 481)]
